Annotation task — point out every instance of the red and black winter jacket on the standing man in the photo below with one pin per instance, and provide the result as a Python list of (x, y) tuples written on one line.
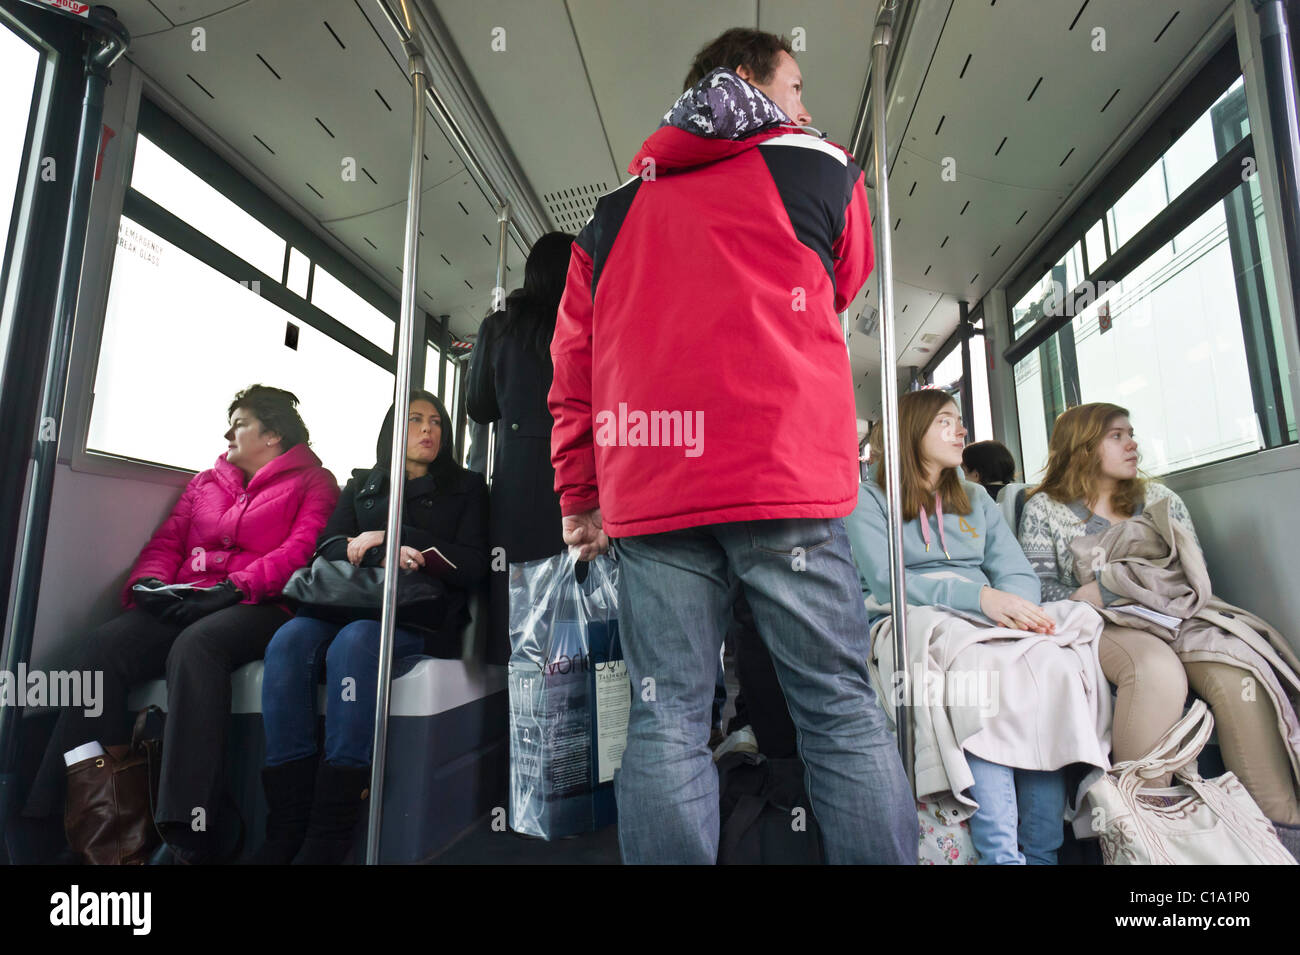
[(701, 374)]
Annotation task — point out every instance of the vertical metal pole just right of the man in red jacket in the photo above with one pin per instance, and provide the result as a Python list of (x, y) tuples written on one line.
[(890, 377)]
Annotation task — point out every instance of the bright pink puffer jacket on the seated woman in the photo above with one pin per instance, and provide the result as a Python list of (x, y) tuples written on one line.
[(254, 536)]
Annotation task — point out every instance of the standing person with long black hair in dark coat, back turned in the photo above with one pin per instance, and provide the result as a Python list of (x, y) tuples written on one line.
[(510, 376)]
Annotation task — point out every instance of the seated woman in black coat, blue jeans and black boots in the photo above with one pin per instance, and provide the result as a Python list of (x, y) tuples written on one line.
[(314, 810)]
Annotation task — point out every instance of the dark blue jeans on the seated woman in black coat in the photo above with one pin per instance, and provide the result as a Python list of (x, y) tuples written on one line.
[(350, 654)]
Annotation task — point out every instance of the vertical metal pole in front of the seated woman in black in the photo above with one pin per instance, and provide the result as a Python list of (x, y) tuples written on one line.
[(397, 463)]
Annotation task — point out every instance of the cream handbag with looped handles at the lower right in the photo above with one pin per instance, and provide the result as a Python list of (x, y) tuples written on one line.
[(1197, 823)]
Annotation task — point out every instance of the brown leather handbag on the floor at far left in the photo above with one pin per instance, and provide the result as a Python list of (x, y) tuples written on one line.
[(107, 815)]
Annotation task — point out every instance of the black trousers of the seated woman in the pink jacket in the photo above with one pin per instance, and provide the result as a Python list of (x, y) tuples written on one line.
[(198, 662)]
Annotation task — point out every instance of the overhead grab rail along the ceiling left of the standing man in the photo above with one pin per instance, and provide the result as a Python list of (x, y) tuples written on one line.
[(475, 140)]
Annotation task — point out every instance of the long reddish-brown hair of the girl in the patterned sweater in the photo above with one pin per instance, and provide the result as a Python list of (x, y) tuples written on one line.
[(1074, 466)]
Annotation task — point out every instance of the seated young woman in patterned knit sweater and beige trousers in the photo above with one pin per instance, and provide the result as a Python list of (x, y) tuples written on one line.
[(1093, 483)]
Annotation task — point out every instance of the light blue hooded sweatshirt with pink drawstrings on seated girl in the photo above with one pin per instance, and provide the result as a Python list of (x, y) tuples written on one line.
[(981, 552)]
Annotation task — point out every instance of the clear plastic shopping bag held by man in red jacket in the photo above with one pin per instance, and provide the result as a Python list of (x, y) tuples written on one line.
[(569, 696)]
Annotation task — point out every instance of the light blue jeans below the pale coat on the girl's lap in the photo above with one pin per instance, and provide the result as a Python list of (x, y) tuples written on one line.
[(1019, 809)]
